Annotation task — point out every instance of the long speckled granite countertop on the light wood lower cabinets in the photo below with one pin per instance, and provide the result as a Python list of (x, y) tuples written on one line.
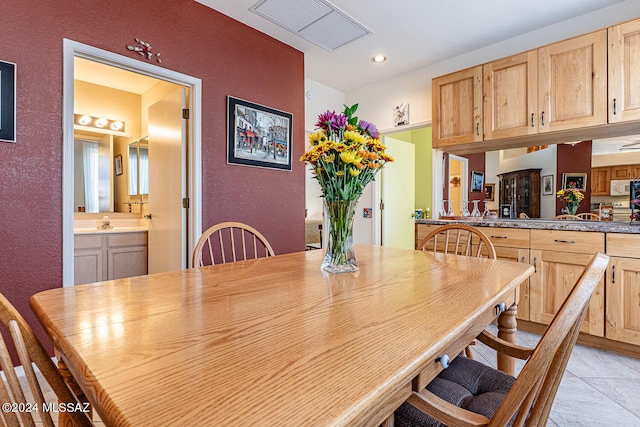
[(545, 224)]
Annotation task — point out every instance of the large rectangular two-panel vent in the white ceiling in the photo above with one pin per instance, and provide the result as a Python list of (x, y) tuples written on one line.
[(318, 21)]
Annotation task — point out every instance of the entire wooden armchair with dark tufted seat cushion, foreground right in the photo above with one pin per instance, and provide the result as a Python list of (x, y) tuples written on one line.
[(470, 393)]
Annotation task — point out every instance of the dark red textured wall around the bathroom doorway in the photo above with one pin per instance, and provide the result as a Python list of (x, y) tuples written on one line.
[(229, 57)]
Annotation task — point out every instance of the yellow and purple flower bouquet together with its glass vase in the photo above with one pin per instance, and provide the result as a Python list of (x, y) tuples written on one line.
[(345, 155)]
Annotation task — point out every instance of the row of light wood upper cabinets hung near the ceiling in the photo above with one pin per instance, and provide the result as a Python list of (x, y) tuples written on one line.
[(575, 89)]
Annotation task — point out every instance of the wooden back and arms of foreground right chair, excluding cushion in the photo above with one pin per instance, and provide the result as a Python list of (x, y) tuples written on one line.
[(528, 401)]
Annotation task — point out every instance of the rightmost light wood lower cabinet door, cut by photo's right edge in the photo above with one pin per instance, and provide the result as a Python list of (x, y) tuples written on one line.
[(623, 300)]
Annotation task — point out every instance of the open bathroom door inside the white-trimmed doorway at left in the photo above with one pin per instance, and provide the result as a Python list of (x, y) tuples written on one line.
[(167, 184)]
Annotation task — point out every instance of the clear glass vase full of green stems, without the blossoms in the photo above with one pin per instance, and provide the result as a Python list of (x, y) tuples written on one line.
[(340, 256)]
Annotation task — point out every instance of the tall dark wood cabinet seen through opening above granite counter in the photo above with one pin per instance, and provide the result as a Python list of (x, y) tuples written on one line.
[(521, 191)]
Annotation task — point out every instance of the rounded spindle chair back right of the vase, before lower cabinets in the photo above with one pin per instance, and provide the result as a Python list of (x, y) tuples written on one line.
[(459, 239)]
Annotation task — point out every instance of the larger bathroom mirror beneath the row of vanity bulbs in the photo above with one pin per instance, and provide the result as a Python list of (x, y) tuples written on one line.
[(93, 183)]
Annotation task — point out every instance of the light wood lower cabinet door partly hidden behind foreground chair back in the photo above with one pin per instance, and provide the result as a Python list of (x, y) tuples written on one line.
[(555, 275)]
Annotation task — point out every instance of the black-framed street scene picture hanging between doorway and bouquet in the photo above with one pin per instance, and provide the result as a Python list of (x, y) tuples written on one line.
[(258, 135)]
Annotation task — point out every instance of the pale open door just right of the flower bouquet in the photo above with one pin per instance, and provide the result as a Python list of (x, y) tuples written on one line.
[(398, 195)]
